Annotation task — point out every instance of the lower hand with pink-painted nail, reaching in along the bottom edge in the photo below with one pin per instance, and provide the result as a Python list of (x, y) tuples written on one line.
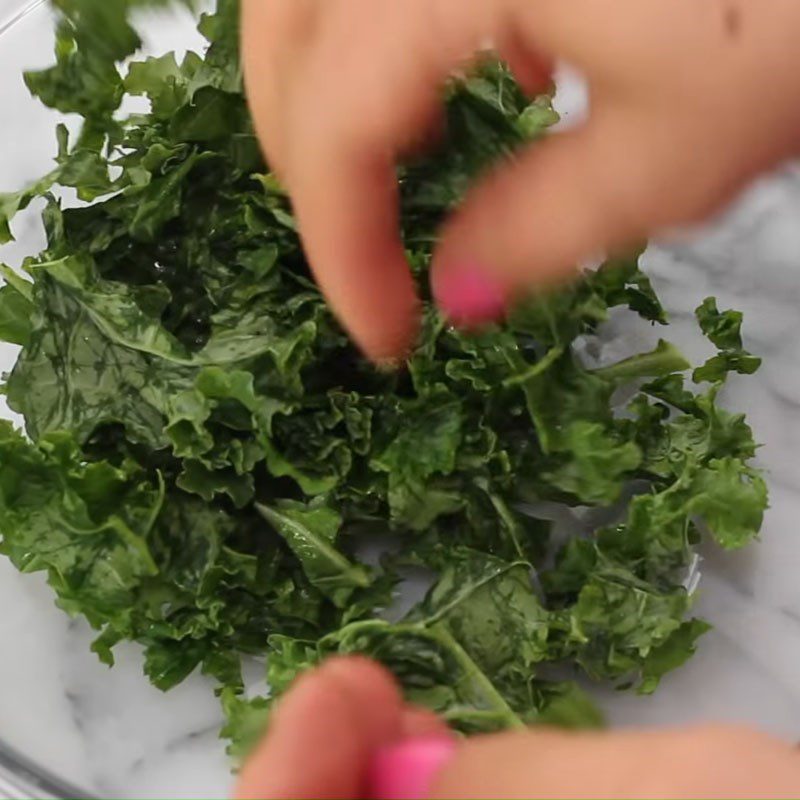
[(329, 730)]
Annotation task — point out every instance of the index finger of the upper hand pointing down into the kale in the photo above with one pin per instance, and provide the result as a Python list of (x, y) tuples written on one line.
[(390, 60)]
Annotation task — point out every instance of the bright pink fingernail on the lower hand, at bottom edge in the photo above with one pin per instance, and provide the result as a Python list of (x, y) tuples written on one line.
[(406, 771)]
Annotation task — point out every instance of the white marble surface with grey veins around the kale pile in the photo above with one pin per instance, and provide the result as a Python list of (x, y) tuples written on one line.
[(109, 731)]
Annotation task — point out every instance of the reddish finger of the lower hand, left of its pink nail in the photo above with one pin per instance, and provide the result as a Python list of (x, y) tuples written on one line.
[(324, 733)]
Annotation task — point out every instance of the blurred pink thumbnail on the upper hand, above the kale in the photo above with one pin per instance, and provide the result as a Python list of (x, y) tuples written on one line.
[(468, 295)]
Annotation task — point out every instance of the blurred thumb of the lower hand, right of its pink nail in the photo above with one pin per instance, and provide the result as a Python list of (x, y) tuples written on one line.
[(699, 762)]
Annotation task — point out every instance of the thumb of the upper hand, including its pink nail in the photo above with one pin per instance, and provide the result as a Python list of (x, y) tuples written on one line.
[(599, 187)]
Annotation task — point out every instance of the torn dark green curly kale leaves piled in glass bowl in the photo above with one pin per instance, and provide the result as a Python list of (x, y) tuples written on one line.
[(207, 457)]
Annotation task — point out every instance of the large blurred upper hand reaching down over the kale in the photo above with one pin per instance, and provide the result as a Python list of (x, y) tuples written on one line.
[(688, 101)]
